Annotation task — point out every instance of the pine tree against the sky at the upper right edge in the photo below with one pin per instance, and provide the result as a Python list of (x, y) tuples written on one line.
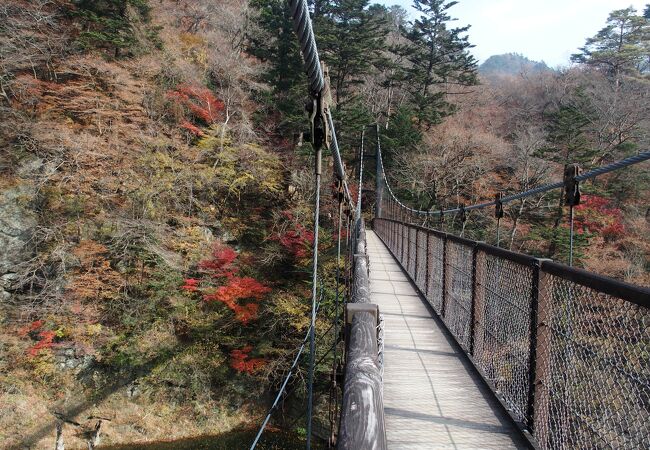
[(621, 48)]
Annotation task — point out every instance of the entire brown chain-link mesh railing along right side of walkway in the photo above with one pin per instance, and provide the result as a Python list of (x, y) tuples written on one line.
[(566, 351)]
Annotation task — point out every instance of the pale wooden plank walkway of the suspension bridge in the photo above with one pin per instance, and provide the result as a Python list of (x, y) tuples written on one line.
[(432, 397)]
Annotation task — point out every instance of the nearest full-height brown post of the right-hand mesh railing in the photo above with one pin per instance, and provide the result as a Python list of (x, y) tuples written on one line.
[(539, 359)]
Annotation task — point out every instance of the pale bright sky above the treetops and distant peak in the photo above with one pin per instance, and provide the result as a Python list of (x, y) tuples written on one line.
[(548, 30)]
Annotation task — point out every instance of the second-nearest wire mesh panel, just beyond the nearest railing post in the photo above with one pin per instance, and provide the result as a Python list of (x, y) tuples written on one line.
[(503, 297)]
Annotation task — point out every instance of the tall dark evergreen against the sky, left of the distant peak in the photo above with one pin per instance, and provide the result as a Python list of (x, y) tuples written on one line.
[(439, 60)]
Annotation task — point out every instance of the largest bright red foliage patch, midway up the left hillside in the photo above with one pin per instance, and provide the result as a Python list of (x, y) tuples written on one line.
[(240, 294)]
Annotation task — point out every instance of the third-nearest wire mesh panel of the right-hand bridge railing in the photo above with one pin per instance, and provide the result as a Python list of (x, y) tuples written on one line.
[(458, 284)]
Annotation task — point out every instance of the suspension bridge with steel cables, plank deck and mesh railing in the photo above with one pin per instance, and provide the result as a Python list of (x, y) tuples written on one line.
[(454, 343)]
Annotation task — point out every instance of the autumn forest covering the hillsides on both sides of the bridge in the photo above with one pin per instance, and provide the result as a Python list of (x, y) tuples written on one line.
[(155, 191)]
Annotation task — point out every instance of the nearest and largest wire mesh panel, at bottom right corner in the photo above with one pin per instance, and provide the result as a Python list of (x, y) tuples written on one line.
[(593, 367)]
